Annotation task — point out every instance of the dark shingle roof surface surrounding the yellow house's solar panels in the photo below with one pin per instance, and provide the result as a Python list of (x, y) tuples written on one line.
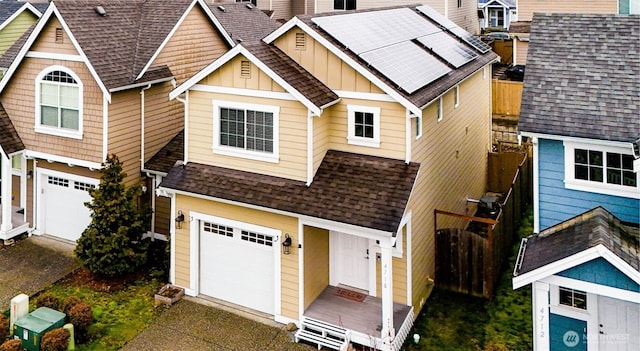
[(426, 94)]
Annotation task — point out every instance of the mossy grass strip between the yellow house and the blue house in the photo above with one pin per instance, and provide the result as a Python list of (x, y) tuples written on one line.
[(456, 322)]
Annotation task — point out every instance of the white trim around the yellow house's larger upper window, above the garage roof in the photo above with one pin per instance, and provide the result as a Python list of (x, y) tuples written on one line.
[(235, 152)]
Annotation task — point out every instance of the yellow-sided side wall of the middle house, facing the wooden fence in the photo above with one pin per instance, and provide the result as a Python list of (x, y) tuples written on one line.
[(453, 166)]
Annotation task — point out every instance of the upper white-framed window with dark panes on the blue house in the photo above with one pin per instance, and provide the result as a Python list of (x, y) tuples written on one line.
[(603, 169)]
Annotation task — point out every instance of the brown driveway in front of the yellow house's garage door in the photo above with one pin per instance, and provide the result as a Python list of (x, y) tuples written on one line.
[(190, 325)]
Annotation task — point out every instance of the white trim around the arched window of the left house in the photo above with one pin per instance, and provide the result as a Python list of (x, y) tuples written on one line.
[(67, 133)]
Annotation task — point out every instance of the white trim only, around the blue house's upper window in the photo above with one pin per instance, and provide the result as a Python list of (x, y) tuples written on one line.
[(595, 187)]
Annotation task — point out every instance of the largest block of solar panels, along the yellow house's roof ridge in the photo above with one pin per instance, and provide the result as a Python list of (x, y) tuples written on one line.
[(365, 31)]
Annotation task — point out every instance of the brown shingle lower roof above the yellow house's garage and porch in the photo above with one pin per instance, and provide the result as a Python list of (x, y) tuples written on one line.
[(356, 189)]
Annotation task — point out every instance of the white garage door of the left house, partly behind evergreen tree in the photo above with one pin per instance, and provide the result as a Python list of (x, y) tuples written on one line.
[(64, 213)]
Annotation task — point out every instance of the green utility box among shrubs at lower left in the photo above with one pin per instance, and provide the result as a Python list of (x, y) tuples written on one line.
[(33, 326)]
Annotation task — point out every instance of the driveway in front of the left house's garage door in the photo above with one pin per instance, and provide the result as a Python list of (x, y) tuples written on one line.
[(32, 264)]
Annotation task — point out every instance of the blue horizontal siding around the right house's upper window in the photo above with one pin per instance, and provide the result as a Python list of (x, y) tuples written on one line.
[(558, 204)]
